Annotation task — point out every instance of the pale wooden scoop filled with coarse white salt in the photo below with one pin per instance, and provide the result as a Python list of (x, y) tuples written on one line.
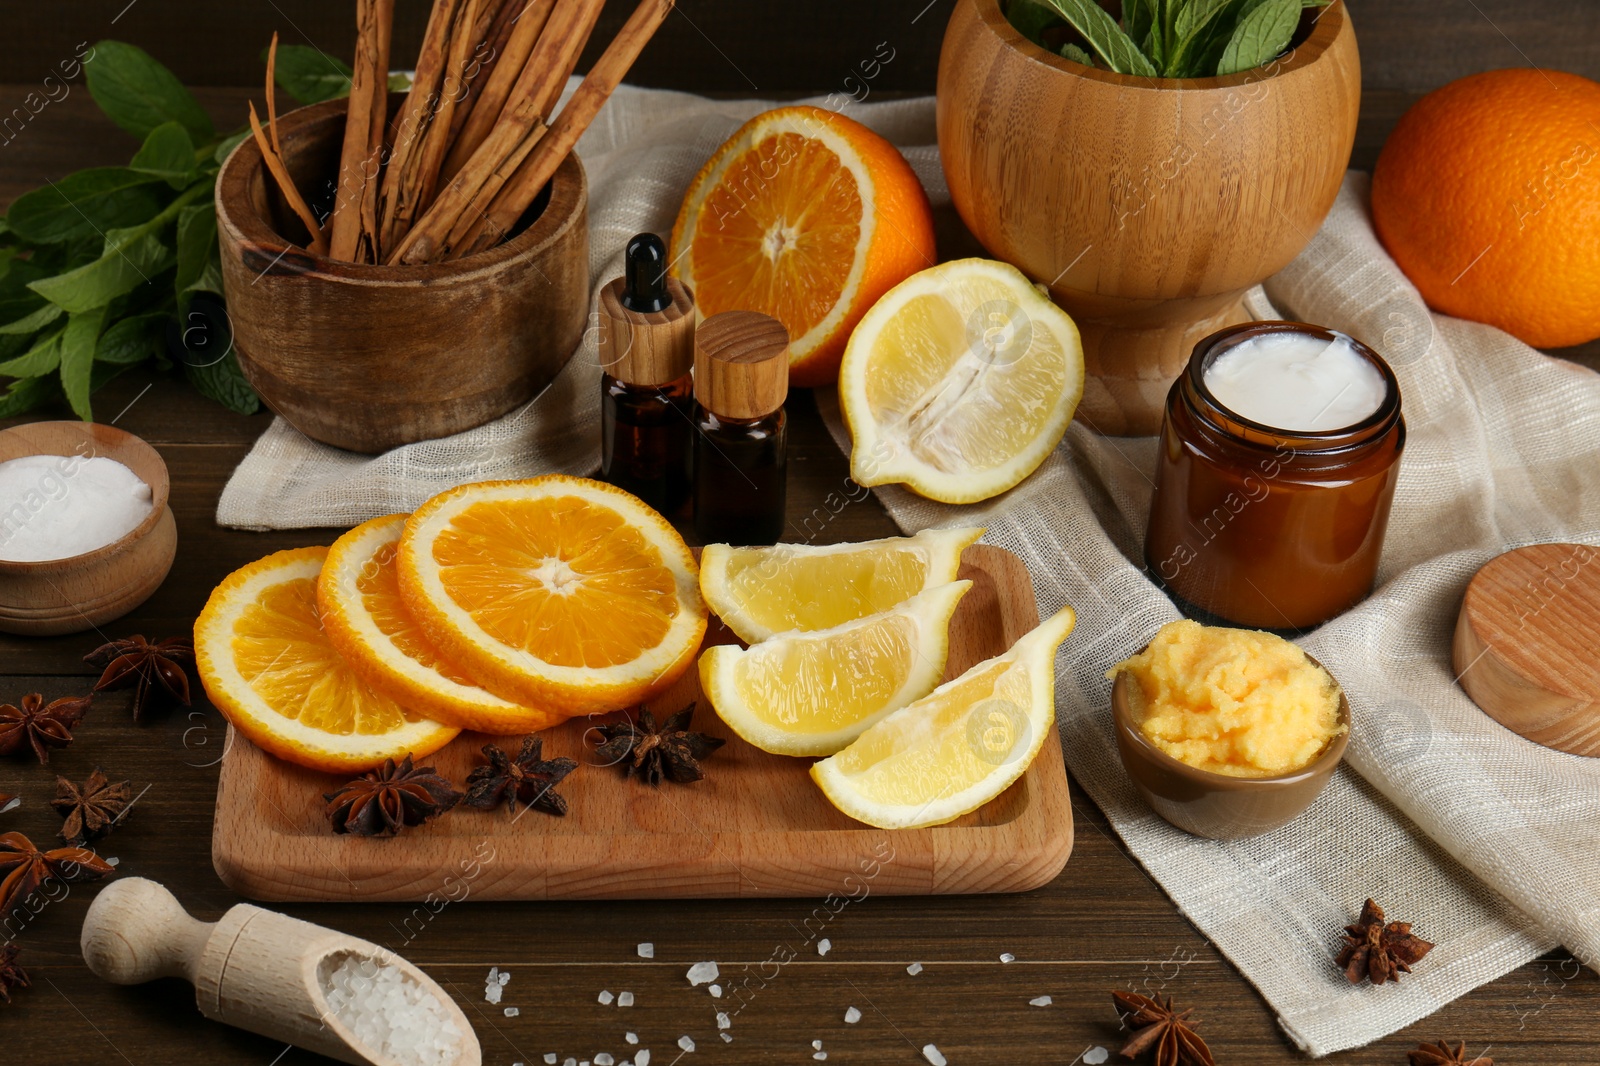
[(281, 977)]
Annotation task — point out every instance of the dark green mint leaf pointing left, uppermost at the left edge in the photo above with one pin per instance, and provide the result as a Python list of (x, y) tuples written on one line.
[(86, 204)]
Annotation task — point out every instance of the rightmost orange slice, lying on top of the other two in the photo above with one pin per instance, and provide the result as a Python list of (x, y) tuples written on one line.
[(556, 593)]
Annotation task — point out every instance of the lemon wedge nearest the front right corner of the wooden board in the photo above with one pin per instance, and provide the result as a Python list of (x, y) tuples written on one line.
[(958, 748)]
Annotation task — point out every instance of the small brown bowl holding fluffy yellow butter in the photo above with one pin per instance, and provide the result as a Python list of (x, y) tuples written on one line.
[(1218, 806)]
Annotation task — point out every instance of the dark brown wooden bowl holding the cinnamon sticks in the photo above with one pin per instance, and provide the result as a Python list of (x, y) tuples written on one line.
[(370, 358)]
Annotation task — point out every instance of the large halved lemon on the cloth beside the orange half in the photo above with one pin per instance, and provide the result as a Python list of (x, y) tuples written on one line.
[(959, 383)]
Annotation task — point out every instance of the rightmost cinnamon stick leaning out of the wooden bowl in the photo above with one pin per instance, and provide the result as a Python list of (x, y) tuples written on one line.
[(542, 164)]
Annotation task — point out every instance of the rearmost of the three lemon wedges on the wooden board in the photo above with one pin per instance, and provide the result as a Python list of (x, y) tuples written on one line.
[(764, 591)]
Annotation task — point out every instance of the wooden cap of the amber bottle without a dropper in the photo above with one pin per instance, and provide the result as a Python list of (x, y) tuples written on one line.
[(742, 364)]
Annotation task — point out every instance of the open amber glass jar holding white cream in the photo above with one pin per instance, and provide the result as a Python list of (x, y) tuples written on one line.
[(1266, 527)]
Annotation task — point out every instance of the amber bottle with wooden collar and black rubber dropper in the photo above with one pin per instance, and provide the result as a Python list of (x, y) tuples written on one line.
[(647, 396)]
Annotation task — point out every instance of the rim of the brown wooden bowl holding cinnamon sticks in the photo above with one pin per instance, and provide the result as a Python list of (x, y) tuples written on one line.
[(236, 212)]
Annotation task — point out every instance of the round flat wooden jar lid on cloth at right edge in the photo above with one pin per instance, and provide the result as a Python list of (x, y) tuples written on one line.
[(1529, 644)]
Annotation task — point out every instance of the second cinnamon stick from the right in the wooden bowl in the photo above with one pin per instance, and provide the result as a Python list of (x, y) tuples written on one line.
[(510, 142)]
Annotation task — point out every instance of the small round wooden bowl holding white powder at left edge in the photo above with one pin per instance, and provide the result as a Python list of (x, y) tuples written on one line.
[(57, 596)]
